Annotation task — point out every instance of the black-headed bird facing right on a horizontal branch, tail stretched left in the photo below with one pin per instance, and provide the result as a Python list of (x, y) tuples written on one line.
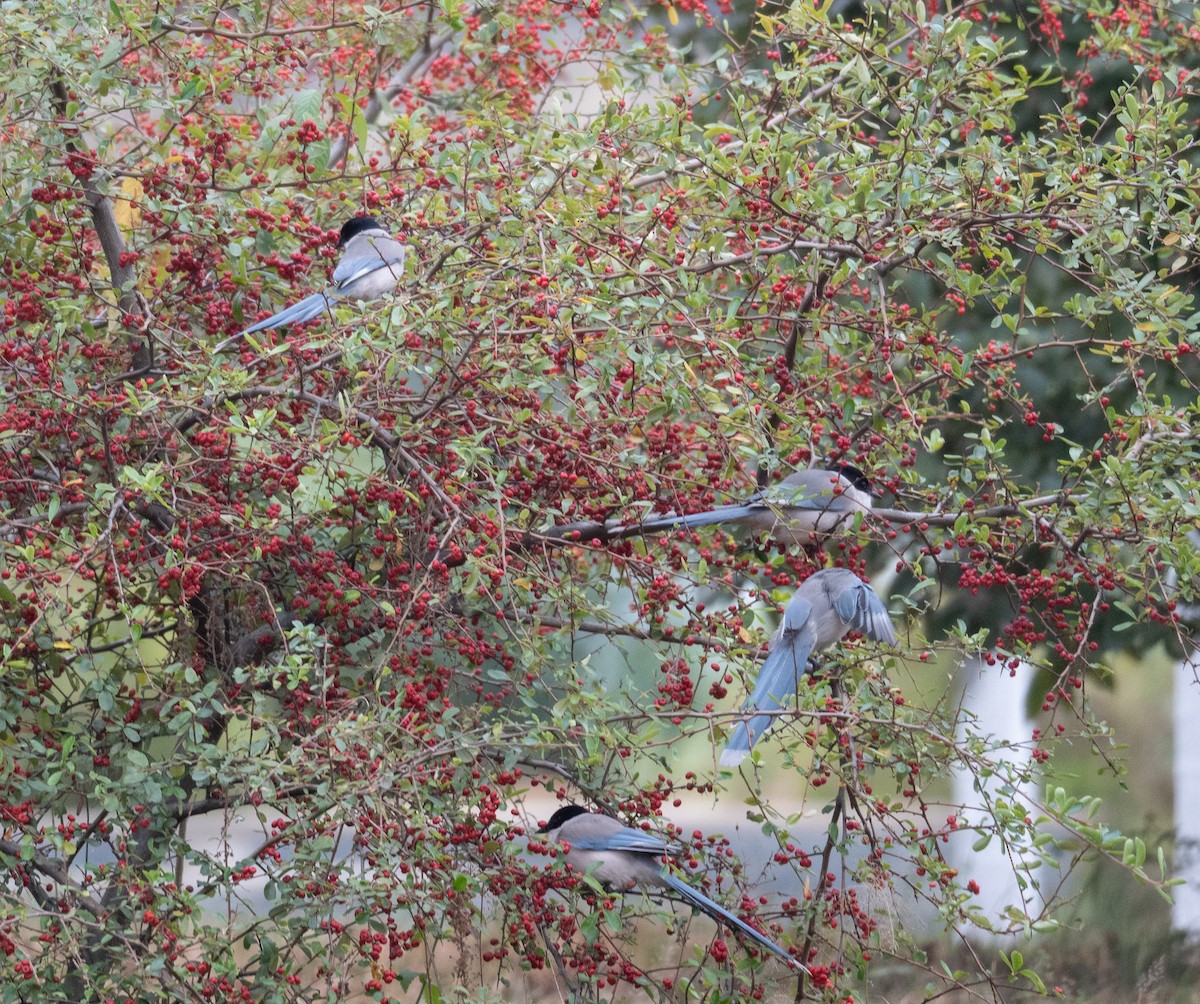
[(805, 506)]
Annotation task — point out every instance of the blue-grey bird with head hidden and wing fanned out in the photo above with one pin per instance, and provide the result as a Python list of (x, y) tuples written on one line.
[(827, 606)]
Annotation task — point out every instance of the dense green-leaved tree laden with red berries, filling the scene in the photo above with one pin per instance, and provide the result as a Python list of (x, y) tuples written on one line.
[(308, 582)]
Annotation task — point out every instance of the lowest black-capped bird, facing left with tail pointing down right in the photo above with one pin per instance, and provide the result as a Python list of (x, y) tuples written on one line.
[(621, 858)]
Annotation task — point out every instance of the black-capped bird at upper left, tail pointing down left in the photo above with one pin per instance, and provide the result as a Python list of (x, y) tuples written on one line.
[(373, 266)]
